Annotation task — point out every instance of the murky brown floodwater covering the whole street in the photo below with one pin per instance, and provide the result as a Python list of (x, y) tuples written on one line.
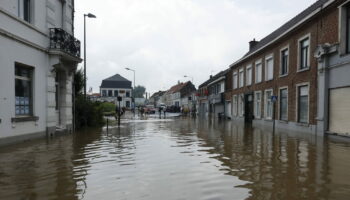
[(177, 159)]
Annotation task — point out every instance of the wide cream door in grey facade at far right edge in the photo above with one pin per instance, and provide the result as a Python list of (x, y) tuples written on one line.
[(339, 111)]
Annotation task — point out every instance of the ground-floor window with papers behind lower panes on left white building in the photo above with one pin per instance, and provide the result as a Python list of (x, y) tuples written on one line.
[(23, 90)]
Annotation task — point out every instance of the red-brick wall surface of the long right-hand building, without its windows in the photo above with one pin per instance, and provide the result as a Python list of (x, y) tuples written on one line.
[(322, 28)]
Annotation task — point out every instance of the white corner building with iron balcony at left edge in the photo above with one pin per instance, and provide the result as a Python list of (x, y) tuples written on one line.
[(38, 57)]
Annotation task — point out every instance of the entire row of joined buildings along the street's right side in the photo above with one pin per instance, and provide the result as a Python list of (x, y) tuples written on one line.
[(297, 76)]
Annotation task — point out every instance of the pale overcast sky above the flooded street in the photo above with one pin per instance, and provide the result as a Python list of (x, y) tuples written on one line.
[(163, 40)]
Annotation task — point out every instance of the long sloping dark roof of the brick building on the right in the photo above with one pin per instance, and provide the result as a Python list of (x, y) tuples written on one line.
[(287, 27)]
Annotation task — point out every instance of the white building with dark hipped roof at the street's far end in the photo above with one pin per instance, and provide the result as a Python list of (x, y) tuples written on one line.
[(115, 86)]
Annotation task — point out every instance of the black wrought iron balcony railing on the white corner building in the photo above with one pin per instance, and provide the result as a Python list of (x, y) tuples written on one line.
[(61, 40)]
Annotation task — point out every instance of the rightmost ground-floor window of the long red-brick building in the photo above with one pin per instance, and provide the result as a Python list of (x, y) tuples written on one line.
[(303, 103)]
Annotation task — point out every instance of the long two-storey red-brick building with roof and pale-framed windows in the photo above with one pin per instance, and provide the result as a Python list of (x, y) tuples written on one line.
[(283, 64)]
